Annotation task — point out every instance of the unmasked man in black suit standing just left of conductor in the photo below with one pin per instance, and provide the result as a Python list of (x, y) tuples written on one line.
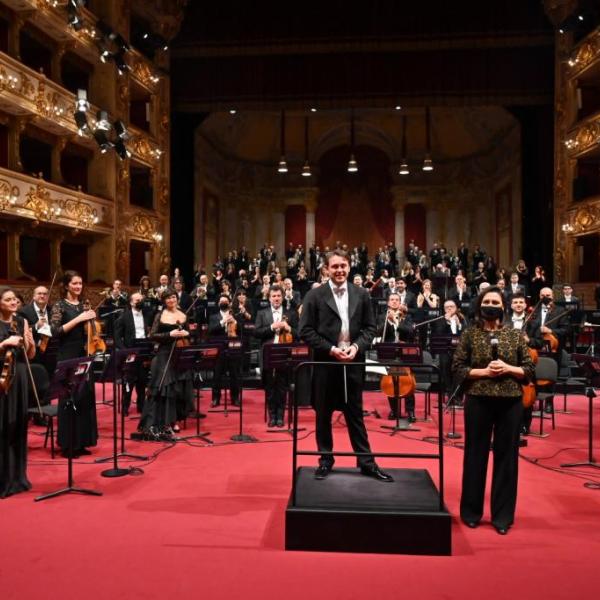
[(270, 323)]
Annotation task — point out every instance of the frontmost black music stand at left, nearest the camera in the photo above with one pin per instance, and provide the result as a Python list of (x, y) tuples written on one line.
[(69, 376)]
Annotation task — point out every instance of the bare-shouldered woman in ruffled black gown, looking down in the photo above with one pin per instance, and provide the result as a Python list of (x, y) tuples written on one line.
[(171, 391)]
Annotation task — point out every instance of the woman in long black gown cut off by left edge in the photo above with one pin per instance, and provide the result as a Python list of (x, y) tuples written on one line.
[(16, 339)]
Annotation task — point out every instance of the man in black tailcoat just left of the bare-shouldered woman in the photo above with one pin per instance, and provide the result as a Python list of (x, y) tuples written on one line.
[(133, 325)]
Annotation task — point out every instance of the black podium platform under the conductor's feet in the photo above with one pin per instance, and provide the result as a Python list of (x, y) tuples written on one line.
[(348, 512)]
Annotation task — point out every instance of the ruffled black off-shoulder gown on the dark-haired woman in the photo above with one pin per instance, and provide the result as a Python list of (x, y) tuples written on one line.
[(170, 398)]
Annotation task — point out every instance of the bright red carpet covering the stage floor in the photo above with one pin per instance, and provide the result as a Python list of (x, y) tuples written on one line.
[(208, 522)]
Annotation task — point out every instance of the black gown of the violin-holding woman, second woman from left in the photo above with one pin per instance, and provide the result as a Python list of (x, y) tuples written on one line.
[(73, 345)]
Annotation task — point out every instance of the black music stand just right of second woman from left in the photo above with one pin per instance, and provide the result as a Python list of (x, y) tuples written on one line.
[(119, 363)]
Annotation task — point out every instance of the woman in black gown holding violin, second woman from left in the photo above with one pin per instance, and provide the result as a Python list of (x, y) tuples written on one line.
[(68, 322)]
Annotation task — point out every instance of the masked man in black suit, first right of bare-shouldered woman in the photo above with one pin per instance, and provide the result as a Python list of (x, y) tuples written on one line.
[(225, 325)]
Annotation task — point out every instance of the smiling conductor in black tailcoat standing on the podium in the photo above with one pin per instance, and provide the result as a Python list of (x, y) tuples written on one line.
[(338, 323)]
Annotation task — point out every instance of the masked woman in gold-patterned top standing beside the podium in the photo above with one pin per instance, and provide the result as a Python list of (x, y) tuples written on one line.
[(492, 361)]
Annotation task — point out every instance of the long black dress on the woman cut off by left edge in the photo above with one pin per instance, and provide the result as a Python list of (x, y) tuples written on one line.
[(13, 421)]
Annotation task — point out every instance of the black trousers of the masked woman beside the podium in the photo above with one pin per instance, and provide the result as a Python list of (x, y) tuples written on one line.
[(501, 417)]
